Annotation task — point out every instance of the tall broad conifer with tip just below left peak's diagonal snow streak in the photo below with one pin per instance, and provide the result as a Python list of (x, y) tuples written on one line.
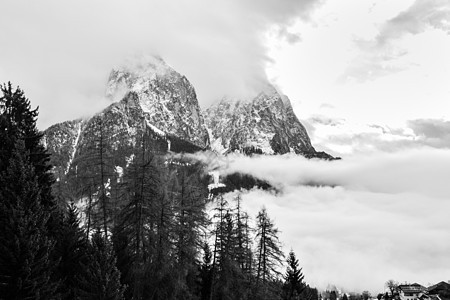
[(137, 222)]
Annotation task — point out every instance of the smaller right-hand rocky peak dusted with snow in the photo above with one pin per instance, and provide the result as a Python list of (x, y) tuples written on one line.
[(266, 124)]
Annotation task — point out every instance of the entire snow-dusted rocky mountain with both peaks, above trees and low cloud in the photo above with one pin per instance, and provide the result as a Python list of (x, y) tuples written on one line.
[(156, 98)]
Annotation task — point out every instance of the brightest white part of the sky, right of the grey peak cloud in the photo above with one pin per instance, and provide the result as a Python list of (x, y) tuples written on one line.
[(342, 61)]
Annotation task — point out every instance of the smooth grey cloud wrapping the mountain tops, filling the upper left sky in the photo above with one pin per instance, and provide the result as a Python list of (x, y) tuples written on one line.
[(61, 53)]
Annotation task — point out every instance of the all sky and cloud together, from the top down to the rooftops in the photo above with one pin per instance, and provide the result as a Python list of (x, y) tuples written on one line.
[(369, 79)]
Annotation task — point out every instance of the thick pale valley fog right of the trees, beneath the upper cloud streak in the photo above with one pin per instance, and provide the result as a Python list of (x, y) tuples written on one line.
[(358, 239)]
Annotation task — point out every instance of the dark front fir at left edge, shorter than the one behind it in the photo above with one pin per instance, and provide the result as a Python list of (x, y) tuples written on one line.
[(25, 248)]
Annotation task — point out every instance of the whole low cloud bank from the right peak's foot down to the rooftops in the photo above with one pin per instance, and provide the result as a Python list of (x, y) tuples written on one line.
[(368, 218)]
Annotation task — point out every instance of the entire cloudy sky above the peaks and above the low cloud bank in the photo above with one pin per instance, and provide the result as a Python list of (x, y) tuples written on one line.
[(376, 61)]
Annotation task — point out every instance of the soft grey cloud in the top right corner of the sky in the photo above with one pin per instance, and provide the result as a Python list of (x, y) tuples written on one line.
[(383, 55)]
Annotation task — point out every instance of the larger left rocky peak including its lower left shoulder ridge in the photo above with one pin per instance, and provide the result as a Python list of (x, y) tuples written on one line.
[(157, 100)]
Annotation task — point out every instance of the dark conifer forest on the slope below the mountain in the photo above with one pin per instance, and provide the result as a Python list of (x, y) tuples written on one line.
[(147, 230)]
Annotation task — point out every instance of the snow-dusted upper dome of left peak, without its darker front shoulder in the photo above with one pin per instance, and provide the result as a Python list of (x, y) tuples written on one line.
[(167, 98)]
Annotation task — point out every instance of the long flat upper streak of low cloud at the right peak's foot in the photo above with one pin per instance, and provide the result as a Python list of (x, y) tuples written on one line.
[(424, 171)]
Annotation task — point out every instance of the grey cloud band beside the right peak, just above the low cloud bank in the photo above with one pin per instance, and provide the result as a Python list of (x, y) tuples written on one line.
[(340, 137)]
